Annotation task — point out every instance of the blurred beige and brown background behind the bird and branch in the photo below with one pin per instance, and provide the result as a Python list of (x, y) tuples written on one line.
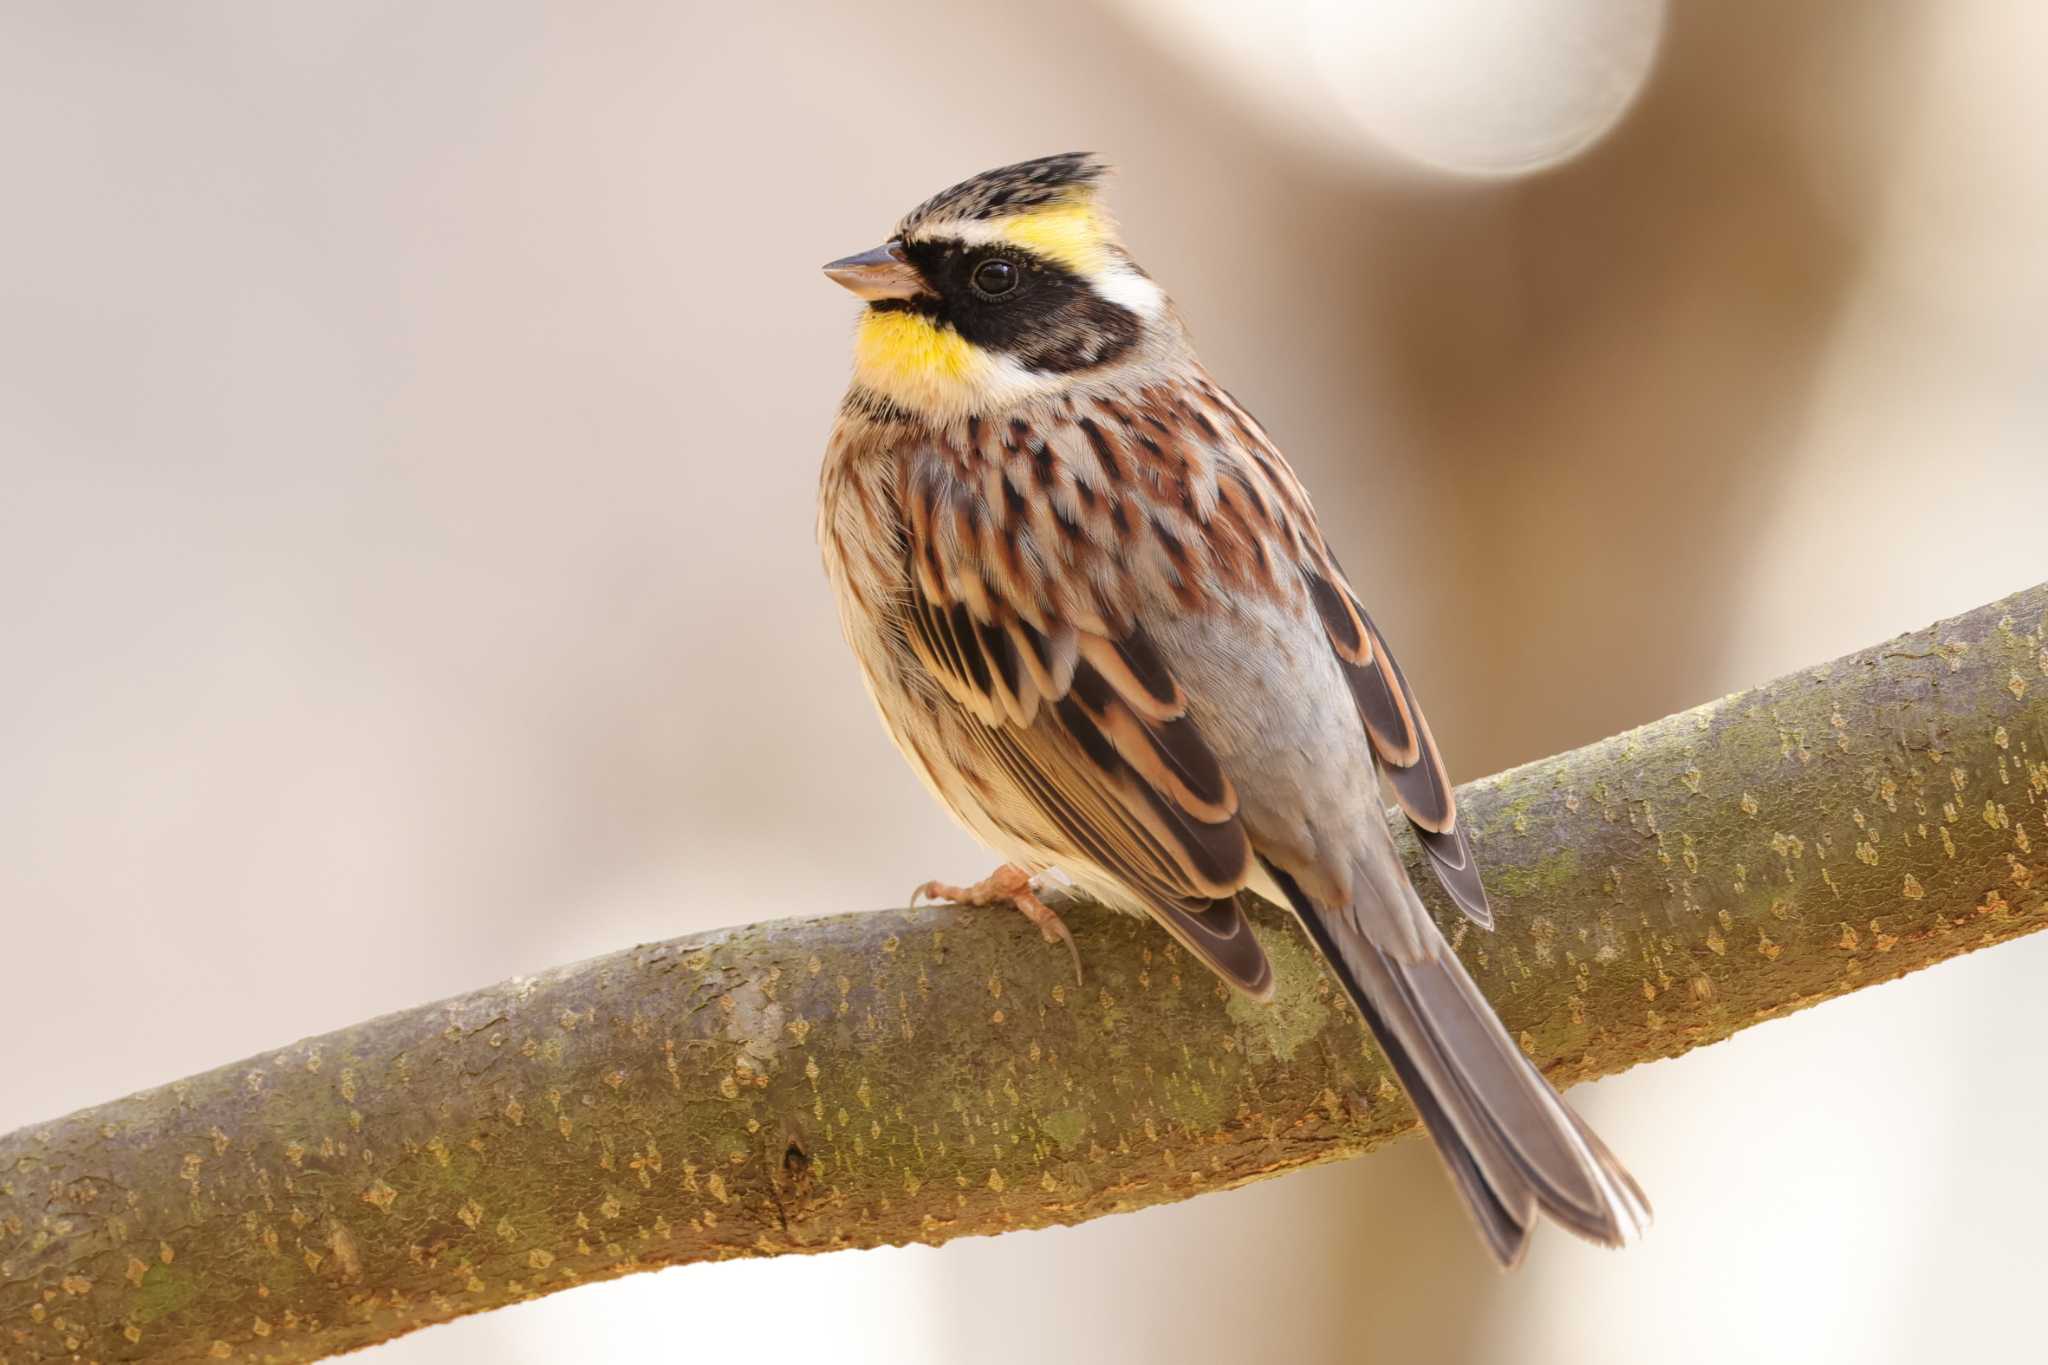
[(409, 435)]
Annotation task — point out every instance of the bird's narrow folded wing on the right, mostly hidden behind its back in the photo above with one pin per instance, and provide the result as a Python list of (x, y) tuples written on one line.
[(1400, 738)]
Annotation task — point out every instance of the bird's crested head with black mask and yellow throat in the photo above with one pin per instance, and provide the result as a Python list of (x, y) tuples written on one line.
[(1007, 288)]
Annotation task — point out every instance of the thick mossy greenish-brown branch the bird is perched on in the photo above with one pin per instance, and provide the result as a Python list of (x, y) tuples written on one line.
[(923, 1075)]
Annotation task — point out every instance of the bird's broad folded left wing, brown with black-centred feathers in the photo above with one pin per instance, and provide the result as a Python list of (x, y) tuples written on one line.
[(1076, 707)]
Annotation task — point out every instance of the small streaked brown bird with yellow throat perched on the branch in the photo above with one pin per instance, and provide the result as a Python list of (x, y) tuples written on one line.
[(1099, 619)]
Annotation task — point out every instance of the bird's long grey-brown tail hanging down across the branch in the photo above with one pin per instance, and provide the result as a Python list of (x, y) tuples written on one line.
[(1510, 1141)]
